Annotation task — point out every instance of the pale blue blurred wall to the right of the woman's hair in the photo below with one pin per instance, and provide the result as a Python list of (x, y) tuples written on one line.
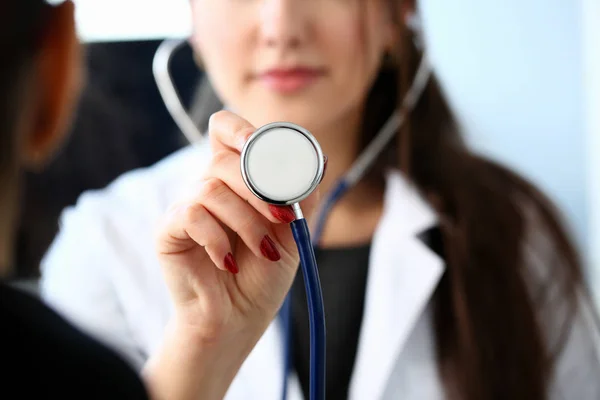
[(512, 70)]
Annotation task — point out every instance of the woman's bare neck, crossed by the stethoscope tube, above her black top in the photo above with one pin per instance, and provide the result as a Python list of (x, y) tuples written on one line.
[(354, 218)]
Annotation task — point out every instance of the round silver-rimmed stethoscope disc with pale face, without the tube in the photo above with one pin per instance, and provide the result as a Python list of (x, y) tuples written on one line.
[(282, 163)]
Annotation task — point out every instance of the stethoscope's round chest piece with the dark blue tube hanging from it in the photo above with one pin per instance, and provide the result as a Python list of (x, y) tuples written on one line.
[(282, 164)]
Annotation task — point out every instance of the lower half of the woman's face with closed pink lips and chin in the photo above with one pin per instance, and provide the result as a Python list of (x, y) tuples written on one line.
[(310, 62)]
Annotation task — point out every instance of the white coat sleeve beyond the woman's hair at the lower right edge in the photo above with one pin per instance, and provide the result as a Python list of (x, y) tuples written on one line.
[(577, 369)]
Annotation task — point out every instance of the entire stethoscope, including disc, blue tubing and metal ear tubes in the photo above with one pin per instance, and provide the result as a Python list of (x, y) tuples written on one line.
[(287, 180)]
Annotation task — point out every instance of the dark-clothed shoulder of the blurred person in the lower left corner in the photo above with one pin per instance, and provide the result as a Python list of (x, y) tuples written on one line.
[(43, 351)]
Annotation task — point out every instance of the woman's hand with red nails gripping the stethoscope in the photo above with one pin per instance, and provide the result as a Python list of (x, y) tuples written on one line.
[(225, 229)]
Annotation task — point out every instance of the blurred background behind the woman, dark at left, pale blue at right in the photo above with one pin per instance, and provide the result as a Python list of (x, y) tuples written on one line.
[(539, 111)]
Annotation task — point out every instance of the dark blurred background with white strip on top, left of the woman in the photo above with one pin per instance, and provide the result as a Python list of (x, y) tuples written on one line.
[(121, 124)]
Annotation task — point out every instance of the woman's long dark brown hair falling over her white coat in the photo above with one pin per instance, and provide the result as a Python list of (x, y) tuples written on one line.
[(504, 306)]
